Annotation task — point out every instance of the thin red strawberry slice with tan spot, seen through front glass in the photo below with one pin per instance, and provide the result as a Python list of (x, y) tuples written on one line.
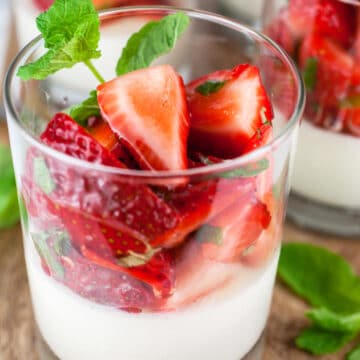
[(118, 251)]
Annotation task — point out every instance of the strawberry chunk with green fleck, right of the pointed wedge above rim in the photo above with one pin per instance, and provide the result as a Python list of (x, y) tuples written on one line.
[(224, 121)]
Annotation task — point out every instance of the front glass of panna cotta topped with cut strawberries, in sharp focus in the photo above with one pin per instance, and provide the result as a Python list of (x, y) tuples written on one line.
[(152, 230)]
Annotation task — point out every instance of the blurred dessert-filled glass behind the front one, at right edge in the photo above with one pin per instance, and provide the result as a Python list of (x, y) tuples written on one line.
[(323, 38)]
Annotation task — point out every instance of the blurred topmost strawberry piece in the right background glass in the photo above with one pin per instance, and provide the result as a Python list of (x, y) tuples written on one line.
[(329, 18)]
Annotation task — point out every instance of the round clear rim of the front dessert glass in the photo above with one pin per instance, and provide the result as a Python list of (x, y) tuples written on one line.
[(227, 165)]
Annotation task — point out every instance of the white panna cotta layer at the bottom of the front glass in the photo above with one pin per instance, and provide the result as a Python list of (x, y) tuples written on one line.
[(224, 325)]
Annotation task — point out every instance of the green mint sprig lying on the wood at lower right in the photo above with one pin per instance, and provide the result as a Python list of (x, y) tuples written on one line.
[(328, 282)]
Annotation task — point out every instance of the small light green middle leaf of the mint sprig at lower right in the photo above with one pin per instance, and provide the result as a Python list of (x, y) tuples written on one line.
[(329, 320)]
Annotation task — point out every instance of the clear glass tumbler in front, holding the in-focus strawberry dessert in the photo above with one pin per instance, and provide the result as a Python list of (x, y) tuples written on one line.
[(201, 296)]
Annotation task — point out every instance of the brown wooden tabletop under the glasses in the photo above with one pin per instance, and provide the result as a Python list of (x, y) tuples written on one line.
[(19, 339)]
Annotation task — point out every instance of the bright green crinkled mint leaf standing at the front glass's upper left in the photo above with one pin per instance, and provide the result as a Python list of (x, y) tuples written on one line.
[(70, 29)]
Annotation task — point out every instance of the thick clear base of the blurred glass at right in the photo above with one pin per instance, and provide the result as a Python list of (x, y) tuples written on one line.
[(323, 218)]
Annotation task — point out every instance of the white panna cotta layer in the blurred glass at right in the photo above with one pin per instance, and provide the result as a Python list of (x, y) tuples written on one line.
[(327, 167)]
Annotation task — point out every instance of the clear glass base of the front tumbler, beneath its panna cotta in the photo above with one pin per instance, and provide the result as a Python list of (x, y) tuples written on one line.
[(44, 352)]
